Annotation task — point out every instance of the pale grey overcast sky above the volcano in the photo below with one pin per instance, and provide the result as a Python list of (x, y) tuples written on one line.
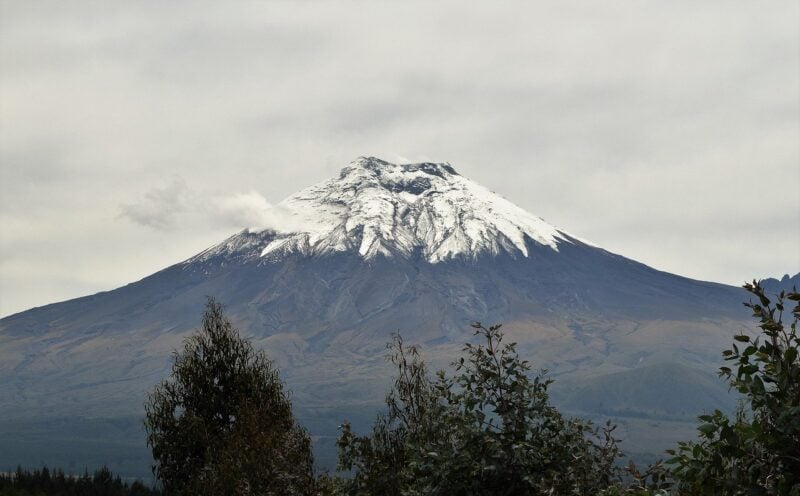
[(135, 134)]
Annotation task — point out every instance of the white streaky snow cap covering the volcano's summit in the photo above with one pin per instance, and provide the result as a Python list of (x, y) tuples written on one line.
[(378, 208)]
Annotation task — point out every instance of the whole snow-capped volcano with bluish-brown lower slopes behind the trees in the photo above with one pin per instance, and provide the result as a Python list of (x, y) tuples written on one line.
[(415, 248)]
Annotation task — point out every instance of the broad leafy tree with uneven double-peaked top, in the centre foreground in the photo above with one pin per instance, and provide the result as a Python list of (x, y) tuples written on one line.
[(489, 429)]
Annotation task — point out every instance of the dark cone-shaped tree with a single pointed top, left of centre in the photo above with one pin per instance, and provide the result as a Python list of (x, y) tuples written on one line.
[(223, 423)]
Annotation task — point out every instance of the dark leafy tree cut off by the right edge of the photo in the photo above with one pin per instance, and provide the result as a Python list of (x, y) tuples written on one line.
[(758, 450)]
